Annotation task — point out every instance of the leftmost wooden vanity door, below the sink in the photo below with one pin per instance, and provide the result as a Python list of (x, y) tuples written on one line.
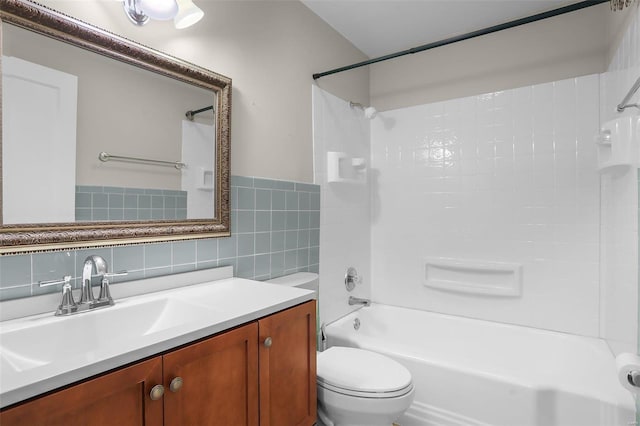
[(119, 398)]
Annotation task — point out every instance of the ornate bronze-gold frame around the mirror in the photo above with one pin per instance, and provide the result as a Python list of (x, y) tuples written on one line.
[(44, 237)]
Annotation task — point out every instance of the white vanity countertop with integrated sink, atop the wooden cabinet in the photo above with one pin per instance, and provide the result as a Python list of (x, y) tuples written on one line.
[(94, 342)]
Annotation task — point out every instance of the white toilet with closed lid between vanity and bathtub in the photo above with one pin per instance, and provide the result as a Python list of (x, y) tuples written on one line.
[(356, 387)]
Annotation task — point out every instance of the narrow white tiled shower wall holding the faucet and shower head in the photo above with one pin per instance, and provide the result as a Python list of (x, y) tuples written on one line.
[(344, 215)]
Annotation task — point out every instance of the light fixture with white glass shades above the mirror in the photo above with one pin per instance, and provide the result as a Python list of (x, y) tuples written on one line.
[(183, 12)]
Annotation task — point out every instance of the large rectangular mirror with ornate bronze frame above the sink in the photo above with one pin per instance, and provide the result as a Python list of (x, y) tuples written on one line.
[(106, 141)]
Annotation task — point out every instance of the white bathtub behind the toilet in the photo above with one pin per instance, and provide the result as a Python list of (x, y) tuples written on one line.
[(473, 372)]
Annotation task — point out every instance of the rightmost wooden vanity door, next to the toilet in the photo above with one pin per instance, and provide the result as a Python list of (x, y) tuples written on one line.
[(288, 367)]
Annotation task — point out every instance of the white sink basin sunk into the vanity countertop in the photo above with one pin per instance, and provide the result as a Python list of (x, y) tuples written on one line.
[(86, 333)]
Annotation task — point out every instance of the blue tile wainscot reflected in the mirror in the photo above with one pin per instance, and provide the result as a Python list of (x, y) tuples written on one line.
[(119, 203)]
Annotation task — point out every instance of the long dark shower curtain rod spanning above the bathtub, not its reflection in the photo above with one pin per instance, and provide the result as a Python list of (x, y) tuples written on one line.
[(467, 36)]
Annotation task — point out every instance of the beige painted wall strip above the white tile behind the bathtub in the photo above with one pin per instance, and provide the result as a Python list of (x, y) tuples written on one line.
[(553, 49)]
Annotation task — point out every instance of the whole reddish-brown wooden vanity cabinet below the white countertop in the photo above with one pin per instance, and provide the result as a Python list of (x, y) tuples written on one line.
[(262, 373)]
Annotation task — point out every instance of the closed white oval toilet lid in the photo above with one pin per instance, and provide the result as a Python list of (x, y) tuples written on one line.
[(361, 370)]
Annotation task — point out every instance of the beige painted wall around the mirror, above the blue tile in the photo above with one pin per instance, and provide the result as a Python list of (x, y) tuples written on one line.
[(269, 49)]
